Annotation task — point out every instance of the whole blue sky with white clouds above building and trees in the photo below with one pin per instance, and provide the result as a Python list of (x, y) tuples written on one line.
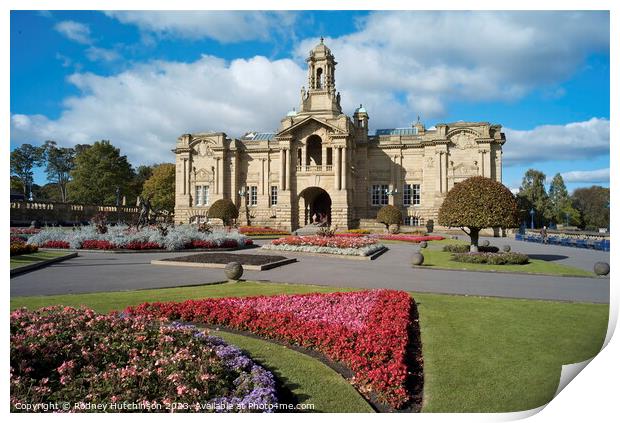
[(140, 79)]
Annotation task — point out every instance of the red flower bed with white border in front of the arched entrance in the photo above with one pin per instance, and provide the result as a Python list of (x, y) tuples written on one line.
[(350, 246)]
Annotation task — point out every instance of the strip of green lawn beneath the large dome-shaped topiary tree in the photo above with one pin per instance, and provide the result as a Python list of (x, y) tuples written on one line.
[(435, 257)]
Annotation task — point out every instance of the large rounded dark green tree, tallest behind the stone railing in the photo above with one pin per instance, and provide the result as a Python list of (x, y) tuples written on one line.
[(99, 171)]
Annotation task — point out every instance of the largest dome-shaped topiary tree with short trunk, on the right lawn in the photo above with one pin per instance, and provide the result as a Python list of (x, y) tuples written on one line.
[(478, 203)]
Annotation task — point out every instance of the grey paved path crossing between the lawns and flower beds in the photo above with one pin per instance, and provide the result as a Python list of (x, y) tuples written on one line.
[(98, 272)]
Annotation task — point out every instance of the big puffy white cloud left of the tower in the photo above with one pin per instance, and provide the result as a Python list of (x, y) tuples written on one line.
[(144, 110)]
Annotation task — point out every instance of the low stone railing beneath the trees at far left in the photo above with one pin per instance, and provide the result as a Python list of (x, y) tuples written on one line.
[(53, 213)]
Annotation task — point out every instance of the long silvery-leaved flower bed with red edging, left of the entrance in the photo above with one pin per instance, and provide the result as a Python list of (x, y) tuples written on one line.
[(126, 238)]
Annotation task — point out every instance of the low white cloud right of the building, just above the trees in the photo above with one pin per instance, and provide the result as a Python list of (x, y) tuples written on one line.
[(577, 140)]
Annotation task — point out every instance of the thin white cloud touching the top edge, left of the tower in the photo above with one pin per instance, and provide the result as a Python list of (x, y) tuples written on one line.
[(224, 26)]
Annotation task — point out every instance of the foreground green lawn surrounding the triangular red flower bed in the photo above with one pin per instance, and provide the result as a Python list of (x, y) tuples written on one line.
[(480, 354)]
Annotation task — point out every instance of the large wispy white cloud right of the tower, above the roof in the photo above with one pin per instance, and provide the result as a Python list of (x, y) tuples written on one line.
[(432, 58)]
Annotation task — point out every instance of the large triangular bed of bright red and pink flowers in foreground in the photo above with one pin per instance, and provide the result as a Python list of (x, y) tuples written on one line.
[(369, 331)]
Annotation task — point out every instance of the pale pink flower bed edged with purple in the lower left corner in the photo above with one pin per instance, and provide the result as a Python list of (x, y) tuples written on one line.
[(66, 355)]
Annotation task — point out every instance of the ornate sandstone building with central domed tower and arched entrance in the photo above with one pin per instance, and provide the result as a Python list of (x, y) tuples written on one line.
[(322, 163)]
